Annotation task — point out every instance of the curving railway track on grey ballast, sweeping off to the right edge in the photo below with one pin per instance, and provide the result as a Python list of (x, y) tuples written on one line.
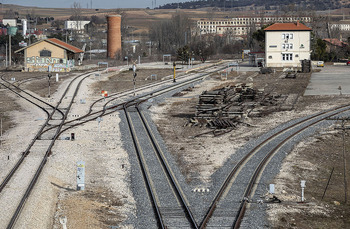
[(230, 203)]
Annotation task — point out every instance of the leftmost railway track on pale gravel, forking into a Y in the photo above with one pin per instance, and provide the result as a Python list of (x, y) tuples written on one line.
[(14, 193)]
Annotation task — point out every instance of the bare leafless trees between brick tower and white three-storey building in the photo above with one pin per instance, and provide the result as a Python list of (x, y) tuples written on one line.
[(175, 36)]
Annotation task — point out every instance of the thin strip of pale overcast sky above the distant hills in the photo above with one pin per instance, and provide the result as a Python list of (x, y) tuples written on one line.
[(106, 4)]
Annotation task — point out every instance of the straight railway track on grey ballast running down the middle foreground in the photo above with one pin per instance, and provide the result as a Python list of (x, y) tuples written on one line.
[(170, 207)]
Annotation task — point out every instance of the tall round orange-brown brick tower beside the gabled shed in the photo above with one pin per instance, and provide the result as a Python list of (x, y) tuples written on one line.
[(114, 38)]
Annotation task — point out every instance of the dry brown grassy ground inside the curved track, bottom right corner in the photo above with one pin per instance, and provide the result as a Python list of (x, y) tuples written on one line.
[(313, 161)]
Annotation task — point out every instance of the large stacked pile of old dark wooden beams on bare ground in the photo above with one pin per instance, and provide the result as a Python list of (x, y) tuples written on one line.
[(226, 107)]
